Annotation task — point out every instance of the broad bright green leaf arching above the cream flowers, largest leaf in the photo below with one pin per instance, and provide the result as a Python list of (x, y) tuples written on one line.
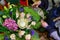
[(32, 12)]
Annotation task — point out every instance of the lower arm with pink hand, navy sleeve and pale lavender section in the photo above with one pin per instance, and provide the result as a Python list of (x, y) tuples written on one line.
[(53, 33)]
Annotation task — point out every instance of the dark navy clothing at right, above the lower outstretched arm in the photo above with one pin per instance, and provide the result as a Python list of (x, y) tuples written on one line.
[(53, 13)]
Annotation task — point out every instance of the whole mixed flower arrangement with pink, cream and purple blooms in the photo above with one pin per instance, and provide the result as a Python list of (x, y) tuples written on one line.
[(18, 23)]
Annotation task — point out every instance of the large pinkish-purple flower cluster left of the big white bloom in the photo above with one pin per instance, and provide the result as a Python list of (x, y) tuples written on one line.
[(10, 24)]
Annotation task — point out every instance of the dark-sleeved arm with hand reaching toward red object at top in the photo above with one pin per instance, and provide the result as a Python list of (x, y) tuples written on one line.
[(41, 4)]
